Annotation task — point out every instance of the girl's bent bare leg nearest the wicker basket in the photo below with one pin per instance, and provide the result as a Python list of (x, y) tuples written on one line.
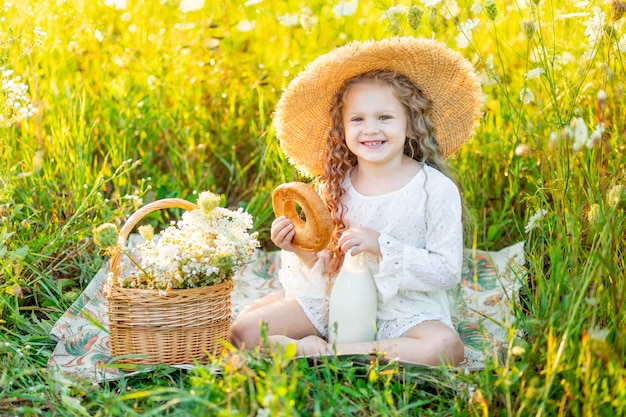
[(283, 316)]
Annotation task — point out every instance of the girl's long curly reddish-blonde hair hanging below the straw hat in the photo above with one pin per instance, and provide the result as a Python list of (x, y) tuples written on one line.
[(421, 144)]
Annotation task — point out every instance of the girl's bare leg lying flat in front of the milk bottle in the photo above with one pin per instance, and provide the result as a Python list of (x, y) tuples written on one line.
[(428, 343)]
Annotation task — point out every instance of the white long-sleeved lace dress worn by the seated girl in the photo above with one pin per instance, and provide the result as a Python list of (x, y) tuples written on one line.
[(421, 241)]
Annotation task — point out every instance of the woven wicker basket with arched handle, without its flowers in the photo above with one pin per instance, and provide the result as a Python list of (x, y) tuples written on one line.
[(180, 328)]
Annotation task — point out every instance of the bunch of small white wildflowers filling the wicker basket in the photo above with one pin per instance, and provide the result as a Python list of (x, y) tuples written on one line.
[(206, 247)]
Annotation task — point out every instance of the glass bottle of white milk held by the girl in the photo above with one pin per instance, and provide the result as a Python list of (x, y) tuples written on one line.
[(353, 303)]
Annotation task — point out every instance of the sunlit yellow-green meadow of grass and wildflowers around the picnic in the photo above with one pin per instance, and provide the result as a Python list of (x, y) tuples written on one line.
[(109, 104)]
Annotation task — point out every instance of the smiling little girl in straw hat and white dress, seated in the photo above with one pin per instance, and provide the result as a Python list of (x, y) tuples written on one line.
[(389, 111)]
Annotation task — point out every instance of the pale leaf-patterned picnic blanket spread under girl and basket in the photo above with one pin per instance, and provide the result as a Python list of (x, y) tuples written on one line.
[(481, 308)]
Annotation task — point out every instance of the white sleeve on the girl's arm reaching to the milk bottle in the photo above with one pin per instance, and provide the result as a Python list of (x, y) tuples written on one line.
[(437, 265)]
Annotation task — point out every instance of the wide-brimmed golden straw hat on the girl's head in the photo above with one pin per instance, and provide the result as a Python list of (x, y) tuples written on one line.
[(302, 118)]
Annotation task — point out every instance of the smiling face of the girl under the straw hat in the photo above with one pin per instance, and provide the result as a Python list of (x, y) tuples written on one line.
[(375, 123)]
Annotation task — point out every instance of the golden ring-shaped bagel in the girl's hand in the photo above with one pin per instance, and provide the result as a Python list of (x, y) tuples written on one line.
[(313, 233)]
